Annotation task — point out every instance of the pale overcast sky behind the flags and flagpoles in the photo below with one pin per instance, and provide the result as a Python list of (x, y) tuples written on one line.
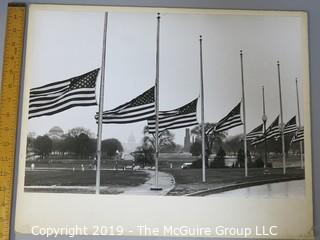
[(65, 43)]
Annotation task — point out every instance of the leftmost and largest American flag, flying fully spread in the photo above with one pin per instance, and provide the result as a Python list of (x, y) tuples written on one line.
[(62, 95)]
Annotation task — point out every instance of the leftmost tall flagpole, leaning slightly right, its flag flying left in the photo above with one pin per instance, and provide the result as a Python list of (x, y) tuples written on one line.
[(101, 99)]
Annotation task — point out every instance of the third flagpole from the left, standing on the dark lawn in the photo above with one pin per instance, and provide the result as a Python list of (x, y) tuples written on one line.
[(202, 117)]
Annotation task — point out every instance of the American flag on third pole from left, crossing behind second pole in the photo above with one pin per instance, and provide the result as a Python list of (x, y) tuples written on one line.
[(182, 117)]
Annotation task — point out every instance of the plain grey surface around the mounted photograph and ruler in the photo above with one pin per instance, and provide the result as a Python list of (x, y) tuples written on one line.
[(310, 6)]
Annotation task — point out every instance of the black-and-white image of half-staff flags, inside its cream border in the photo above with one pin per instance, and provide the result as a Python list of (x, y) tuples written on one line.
[(165, 104)]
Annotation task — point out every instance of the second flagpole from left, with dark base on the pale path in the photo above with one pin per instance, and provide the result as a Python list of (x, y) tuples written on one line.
[(156, 187)]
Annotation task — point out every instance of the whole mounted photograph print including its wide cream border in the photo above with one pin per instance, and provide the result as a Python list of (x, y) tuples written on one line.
[(184, 117)]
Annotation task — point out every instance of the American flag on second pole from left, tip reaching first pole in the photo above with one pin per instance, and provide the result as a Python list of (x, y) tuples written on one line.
[(138, 109)]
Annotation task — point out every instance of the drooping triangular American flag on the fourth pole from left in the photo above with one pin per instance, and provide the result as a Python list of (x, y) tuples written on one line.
[(233, 119)]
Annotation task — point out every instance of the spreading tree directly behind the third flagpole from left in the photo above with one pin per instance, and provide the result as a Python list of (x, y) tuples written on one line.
[(213, 141)]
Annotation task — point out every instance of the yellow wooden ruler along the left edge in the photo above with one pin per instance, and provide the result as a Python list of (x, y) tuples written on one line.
[(9, 102)]
